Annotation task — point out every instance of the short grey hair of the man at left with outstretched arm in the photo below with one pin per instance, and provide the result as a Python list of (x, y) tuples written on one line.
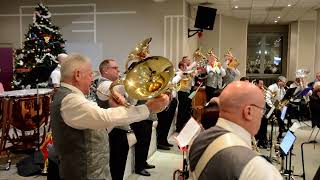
[(72, 63)]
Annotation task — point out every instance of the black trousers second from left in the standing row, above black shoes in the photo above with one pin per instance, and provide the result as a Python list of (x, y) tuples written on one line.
[(142, 131)]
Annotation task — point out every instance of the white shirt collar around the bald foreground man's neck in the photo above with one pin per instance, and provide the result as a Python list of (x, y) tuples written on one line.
[(235, 129)]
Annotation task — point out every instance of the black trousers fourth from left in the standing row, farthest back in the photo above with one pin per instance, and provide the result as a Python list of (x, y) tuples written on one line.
[(184, 110)]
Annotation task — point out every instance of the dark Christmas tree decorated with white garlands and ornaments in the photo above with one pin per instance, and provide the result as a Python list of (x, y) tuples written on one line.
[(35, 61)]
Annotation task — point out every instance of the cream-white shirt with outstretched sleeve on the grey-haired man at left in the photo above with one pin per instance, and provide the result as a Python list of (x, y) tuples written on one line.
[(80, 113)]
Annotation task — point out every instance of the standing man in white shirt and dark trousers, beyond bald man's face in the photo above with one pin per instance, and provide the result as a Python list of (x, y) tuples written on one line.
[(278, 92)]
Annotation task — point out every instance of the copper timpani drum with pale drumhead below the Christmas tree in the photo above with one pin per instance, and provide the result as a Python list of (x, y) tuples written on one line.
[(27, 108)]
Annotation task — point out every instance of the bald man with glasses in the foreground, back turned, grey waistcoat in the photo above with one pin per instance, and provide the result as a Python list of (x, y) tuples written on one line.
[(224, 151)]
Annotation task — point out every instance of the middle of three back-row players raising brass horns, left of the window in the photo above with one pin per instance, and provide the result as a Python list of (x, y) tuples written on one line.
[(215, 72)]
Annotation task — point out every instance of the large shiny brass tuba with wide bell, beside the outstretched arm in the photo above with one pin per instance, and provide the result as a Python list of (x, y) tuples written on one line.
[(145, 76)]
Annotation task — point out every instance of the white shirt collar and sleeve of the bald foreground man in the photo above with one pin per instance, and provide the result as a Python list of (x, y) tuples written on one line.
[(257, 168)]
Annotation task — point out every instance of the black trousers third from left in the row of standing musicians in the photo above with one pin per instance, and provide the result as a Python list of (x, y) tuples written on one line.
[(164, 122)]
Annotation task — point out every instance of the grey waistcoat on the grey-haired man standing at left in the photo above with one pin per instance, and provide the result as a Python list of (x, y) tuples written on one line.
[(83, 154)]
